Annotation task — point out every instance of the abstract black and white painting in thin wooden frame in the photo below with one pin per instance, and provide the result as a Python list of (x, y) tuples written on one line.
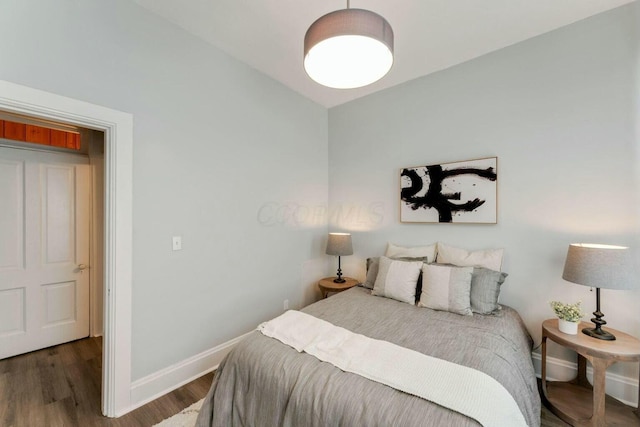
[(460, 192)]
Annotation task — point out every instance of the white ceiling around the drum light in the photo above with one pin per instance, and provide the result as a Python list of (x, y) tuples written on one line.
[(430, 35)]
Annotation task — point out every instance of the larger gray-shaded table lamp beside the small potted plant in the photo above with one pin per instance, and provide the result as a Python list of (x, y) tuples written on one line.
[(598, 266)]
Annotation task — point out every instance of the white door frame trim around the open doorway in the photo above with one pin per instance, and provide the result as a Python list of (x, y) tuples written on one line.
[(118, 224)]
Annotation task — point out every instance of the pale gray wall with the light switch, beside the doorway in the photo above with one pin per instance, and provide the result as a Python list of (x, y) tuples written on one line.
[(214, 141)]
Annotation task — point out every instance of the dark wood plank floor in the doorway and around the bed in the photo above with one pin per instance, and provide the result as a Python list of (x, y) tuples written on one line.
[(61, 386)]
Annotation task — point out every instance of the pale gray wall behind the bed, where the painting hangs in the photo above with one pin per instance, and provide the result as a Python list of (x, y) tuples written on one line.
[(560, 112)]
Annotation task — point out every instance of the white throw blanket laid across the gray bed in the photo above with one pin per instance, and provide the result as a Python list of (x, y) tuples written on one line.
[(462, 389)]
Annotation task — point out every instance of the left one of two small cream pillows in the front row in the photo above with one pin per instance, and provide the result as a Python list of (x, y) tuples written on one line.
[(397, 279)]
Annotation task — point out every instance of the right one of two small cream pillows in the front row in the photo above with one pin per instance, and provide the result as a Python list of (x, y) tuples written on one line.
[(446, 288)]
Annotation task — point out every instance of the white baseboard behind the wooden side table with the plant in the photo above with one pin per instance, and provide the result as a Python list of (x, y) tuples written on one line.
[(624, 389)]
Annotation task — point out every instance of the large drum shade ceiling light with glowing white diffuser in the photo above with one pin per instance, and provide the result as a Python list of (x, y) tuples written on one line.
[(348, 48)]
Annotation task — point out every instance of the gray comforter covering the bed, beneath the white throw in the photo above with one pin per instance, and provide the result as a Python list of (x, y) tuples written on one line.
[(263, 382)]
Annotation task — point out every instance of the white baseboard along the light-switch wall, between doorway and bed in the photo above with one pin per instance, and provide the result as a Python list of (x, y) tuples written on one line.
[(166, 380)]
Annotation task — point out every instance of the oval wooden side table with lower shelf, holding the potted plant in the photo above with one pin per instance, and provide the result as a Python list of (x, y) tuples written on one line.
[(577, 402)]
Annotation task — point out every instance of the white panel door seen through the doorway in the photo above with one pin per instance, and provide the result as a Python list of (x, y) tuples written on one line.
[(44, 249)]
